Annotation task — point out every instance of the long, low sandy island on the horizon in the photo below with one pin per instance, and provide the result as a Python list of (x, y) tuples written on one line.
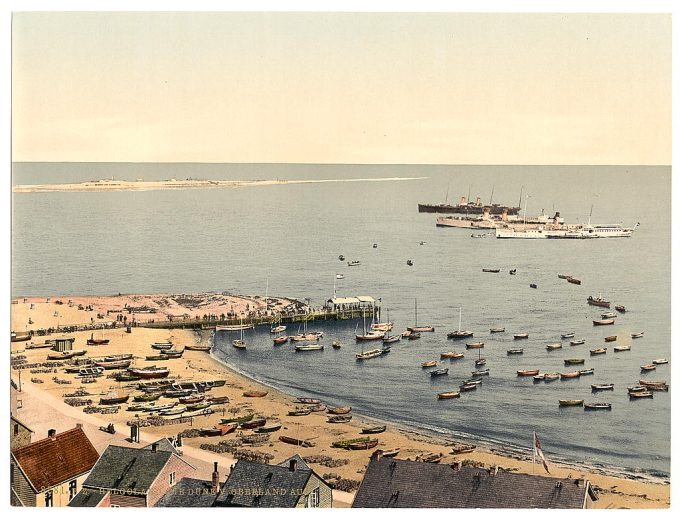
[(173, 184)]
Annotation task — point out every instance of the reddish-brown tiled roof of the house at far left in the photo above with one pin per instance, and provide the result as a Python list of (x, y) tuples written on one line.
[(49, 462)]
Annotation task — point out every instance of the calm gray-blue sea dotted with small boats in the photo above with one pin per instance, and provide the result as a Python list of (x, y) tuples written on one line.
[(287, 239)]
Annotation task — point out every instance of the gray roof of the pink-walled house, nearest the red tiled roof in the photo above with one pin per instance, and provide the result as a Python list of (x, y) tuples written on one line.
[(129, 469)]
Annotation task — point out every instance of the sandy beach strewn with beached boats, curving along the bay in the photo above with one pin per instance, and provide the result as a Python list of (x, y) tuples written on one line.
[(614, 491)]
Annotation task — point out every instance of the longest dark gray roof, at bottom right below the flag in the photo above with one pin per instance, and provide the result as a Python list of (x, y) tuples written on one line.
[(404, 483)]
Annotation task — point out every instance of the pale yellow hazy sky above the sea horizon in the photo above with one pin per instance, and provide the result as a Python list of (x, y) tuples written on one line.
[(395, 88)]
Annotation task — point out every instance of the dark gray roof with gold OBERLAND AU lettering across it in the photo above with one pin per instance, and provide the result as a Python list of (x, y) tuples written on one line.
[(261, 485)]
